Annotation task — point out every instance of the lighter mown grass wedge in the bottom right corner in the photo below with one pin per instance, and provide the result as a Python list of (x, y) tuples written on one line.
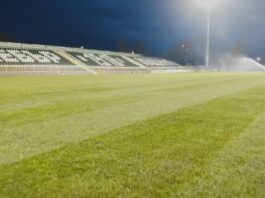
[(237, 171)]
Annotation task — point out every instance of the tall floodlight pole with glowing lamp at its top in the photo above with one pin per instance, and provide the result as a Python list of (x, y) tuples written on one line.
[(208, 5)]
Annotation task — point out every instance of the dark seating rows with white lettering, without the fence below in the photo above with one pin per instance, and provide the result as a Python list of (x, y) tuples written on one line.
[(47, 57)]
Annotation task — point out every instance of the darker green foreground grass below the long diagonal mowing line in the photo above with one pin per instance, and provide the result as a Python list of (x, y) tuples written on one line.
[(212, 149)]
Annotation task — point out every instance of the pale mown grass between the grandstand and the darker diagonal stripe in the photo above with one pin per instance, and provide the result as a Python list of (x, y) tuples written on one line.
[(41, 114)]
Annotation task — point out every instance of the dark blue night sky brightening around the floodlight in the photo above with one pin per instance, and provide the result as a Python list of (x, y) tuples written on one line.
[(153, 27)]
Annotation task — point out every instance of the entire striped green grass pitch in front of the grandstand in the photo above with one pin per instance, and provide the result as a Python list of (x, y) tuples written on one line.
[(169, 135)]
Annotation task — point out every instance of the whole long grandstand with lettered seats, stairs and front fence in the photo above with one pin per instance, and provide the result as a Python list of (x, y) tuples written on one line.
[(25, 59)]
